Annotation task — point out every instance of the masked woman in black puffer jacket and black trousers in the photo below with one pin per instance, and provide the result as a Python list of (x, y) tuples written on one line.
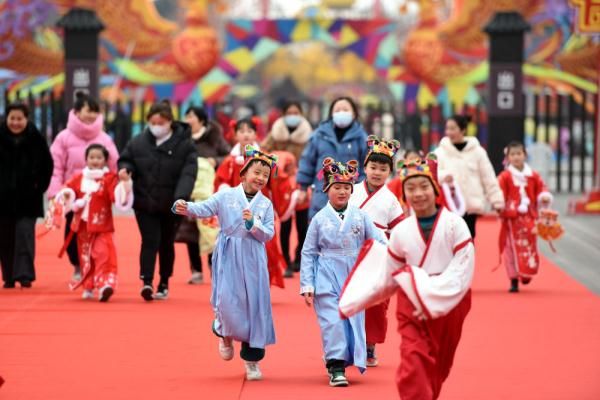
[(163, 163)]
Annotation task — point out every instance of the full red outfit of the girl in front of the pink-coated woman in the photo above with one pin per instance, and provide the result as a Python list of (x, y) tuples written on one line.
[(97, 252)]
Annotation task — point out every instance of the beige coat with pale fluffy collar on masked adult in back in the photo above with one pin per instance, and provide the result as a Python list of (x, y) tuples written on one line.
[(281, 139)]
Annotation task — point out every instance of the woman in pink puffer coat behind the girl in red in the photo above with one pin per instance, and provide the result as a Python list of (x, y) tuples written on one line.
[(84, 127)]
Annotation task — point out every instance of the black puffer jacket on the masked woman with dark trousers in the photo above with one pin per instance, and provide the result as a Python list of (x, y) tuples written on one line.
[(161, 174)]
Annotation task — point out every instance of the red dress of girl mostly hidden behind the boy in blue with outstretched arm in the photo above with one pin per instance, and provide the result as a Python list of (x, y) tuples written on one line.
[(228, 174)]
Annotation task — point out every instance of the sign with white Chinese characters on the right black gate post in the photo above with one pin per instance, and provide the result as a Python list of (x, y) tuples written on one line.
[(506, 93)]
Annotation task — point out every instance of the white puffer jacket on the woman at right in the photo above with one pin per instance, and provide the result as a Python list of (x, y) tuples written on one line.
[(472, 170)]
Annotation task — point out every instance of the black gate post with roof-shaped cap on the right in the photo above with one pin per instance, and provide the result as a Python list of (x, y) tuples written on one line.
[(506, 112)]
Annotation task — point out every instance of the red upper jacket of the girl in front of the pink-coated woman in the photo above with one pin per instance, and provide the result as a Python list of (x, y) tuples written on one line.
[(100, 217)]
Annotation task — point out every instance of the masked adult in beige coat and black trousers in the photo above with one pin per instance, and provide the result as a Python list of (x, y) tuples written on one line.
[(290, 133)]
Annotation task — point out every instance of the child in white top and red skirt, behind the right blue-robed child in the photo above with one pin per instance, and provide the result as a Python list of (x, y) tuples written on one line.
[(381, 205)]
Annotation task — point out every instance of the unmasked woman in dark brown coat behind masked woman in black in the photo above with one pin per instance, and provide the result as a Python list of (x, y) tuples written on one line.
[(210, 144)]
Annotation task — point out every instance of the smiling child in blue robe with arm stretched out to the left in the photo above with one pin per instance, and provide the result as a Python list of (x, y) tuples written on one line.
[(240, 279)]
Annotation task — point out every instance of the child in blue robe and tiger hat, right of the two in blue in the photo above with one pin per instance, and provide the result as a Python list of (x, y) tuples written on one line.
[(334, 239)]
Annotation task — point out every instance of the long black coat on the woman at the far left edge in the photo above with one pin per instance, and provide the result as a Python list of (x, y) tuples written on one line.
[(25, 171)]
